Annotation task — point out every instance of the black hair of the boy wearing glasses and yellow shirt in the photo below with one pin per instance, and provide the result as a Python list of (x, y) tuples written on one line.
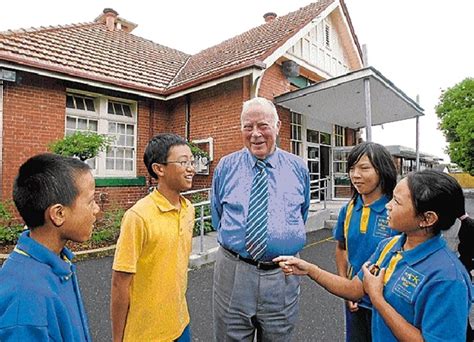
[(158, 149)]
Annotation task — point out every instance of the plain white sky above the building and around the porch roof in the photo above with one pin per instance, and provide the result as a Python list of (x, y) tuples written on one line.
[(422, 46)]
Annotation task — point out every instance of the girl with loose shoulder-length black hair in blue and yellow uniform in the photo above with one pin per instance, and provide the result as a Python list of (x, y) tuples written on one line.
[(362, 225)]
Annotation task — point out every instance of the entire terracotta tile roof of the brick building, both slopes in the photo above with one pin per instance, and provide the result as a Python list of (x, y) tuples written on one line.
[(90, 51)]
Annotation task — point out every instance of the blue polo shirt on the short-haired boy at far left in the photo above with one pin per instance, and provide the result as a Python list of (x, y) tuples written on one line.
[(39, 296)]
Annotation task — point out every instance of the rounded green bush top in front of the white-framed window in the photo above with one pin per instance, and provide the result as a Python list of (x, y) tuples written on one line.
[(83, 145)]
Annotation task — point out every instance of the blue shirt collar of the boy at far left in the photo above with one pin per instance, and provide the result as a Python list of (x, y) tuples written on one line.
[(35, 250)]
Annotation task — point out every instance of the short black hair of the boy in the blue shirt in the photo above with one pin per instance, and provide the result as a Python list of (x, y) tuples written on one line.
[(44, 180)]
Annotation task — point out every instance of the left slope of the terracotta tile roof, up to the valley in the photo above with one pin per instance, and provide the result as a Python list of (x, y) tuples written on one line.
[(89, 50)]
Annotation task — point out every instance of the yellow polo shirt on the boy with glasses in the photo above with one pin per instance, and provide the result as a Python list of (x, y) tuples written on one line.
[(155, 244)]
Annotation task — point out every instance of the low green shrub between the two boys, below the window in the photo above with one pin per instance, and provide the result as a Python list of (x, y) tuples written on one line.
[(107, 229)]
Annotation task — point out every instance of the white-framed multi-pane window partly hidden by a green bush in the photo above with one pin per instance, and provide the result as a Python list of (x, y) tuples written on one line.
[(111, 117)]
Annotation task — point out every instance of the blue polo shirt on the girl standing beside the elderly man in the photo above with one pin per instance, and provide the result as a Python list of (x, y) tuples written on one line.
[(363, 238)]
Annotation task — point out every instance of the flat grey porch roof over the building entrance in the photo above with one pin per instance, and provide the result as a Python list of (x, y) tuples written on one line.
[(341, 100)]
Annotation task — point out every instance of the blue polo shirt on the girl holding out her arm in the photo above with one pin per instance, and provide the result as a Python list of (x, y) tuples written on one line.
[(428, 286)]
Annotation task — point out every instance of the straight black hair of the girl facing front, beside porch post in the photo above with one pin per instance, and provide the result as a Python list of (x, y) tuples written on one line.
[(382, 162)]
